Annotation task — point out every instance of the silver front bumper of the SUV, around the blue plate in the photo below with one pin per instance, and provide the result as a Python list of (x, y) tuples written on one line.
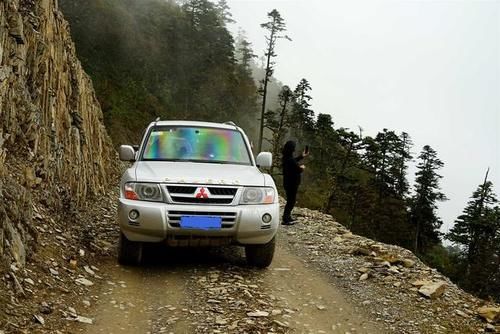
[(241, 224)]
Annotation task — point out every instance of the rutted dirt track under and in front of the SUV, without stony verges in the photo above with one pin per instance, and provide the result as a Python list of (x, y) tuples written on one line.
[(200, 291)]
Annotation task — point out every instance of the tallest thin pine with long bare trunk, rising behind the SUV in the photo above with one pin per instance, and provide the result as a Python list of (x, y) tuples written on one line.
[(275, 26)]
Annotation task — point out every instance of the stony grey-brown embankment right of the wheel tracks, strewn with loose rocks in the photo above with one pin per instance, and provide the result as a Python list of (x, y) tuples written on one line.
[(389, 281)]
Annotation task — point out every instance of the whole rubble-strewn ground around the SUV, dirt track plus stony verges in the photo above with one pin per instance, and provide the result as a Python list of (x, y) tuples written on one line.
[(315, 285)]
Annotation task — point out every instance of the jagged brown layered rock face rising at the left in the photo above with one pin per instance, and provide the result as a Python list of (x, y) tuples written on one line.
[(52, 139)]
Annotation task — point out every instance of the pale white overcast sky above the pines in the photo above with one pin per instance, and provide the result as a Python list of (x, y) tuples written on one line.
[(430, 68)]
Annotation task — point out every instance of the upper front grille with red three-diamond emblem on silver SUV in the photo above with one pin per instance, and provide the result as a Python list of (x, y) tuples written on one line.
[(190, 194)]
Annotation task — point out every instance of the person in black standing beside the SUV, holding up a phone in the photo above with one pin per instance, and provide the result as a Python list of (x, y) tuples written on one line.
[(291, 178)]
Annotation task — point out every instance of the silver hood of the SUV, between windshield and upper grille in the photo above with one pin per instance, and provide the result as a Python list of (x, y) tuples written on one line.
[(198, 173)]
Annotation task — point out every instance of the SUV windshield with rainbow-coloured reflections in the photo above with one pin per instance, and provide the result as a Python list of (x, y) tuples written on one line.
[(196, 144)]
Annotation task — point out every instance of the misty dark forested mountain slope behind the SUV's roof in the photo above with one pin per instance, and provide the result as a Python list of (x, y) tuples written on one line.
[(156, 58)]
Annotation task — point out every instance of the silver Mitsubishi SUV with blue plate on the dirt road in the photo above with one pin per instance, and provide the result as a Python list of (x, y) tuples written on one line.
[(197, 184)]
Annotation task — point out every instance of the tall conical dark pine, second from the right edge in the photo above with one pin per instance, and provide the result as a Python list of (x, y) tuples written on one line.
[(423, 214)]
